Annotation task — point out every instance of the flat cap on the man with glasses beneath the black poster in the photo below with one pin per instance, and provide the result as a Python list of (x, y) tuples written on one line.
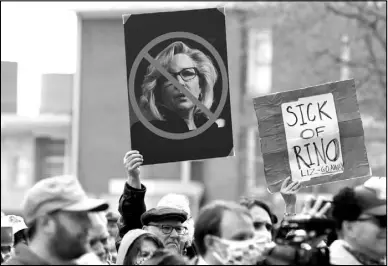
[(163, 213)]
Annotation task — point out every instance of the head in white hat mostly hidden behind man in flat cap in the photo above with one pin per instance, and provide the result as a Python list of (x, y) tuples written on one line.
[(180, 201)]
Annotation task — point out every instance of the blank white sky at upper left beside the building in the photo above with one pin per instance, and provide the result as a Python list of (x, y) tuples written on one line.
[(41, 37)]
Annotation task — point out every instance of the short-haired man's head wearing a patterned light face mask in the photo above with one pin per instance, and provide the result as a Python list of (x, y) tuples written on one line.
[(221, 229)]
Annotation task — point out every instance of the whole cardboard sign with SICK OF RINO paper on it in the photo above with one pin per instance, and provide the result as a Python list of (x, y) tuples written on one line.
[(314, 135)]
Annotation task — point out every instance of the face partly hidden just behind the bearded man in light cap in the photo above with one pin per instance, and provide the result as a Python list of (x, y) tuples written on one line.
[(98, 236)]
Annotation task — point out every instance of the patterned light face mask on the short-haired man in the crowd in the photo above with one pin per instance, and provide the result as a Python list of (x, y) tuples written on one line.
[(247, 252)]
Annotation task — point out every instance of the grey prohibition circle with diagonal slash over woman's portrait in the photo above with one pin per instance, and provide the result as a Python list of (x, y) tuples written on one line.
[(144, 54)]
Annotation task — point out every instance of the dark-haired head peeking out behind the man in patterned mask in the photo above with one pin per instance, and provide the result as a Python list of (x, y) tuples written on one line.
[(263, 218)]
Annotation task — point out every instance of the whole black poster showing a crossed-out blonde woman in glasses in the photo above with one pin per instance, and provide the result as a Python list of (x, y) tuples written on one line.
[(178, 91)]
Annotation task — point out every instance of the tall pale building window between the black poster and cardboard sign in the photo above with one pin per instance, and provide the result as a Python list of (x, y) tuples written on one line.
[(259, 76)]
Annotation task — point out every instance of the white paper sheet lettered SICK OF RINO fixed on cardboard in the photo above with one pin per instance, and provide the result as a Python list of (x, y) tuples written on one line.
[(312, 136)]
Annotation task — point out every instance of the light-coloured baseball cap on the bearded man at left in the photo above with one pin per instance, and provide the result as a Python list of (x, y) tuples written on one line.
[(58, 193)]
